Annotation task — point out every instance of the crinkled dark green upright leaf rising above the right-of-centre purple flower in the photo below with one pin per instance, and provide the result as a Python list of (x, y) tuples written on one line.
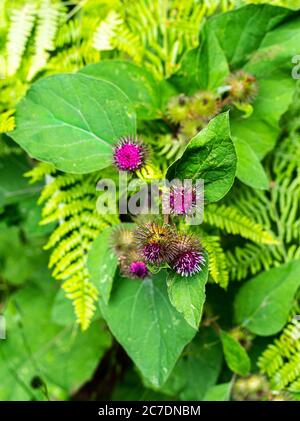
[(210, 156)]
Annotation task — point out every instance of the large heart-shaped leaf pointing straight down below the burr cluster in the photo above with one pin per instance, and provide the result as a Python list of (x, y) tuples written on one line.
[(146, 324)]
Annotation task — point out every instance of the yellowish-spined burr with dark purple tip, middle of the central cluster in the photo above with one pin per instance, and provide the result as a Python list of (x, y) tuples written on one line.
[(155, 242)]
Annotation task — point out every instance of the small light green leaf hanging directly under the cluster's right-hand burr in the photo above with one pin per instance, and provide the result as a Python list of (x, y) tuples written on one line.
[(187, 294)]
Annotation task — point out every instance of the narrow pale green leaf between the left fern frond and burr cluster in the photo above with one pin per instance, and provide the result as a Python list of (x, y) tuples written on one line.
[(102, 264)]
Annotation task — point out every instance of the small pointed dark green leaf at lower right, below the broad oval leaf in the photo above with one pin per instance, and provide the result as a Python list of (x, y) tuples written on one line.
[(235, 355)]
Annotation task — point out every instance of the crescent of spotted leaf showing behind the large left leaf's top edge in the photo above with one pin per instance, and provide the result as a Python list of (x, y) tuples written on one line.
[(137, 83)]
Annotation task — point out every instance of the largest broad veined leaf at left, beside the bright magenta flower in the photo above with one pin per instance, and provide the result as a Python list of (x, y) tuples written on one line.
[(73, 121)]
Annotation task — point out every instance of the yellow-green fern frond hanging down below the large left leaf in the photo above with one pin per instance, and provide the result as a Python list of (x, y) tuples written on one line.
[(70, 200)]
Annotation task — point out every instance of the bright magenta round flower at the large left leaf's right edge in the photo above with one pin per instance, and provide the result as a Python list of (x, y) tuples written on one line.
[(129, 154)]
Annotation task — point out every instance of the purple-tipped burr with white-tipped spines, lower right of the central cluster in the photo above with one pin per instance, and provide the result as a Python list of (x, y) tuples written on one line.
[(189, 256)]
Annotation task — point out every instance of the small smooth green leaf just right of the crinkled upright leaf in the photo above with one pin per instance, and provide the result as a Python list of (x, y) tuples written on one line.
[(249, 169)]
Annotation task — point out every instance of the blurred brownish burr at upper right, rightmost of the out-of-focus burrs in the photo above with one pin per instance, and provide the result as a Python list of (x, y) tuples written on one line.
[(243, 87)]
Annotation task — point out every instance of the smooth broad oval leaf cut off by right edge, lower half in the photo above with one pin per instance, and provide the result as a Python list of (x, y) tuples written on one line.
[(263, 304)]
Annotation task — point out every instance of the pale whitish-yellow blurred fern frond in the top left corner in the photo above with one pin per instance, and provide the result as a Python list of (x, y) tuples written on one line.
[(22, 22)]
